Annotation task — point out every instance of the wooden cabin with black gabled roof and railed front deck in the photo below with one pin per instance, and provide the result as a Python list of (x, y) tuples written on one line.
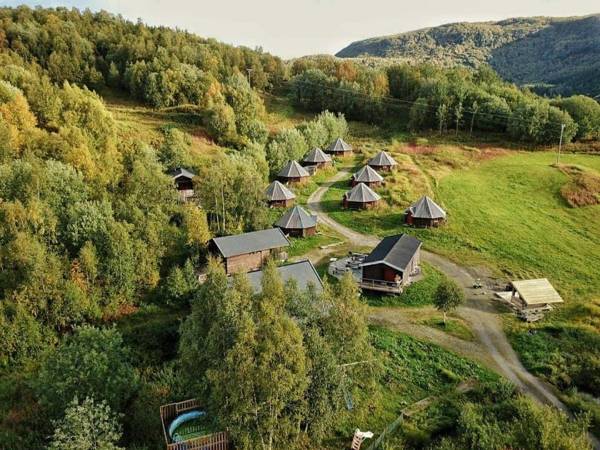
[(390, 266)]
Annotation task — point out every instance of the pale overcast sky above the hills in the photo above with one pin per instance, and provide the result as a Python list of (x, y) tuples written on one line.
[(295, 28)]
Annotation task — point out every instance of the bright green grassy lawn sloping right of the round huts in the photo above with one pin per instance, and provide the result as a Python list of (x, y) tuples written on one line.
[(508, 214)]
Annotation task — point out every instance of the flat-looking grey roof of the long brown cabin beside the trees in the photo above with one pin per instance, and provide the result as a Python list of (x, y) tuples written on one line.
[(255, 241)]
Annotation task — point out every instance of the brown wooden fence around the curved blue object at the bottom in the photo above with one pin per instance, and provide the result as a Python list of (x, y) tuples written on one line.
[(215, 441)]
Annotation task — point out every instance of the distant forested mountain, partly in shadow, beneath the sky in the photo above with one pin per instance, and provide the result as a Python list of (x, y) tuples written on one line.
[(557, 55)]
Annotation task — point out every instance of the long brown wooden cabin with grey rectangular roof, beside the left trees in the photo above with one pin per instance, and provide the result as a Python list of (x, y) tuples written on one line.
[(249, 251)]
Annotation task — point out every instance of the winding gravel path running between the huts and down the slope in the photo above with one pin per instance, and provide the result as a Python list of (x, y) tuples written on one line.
[(492, 347)]
